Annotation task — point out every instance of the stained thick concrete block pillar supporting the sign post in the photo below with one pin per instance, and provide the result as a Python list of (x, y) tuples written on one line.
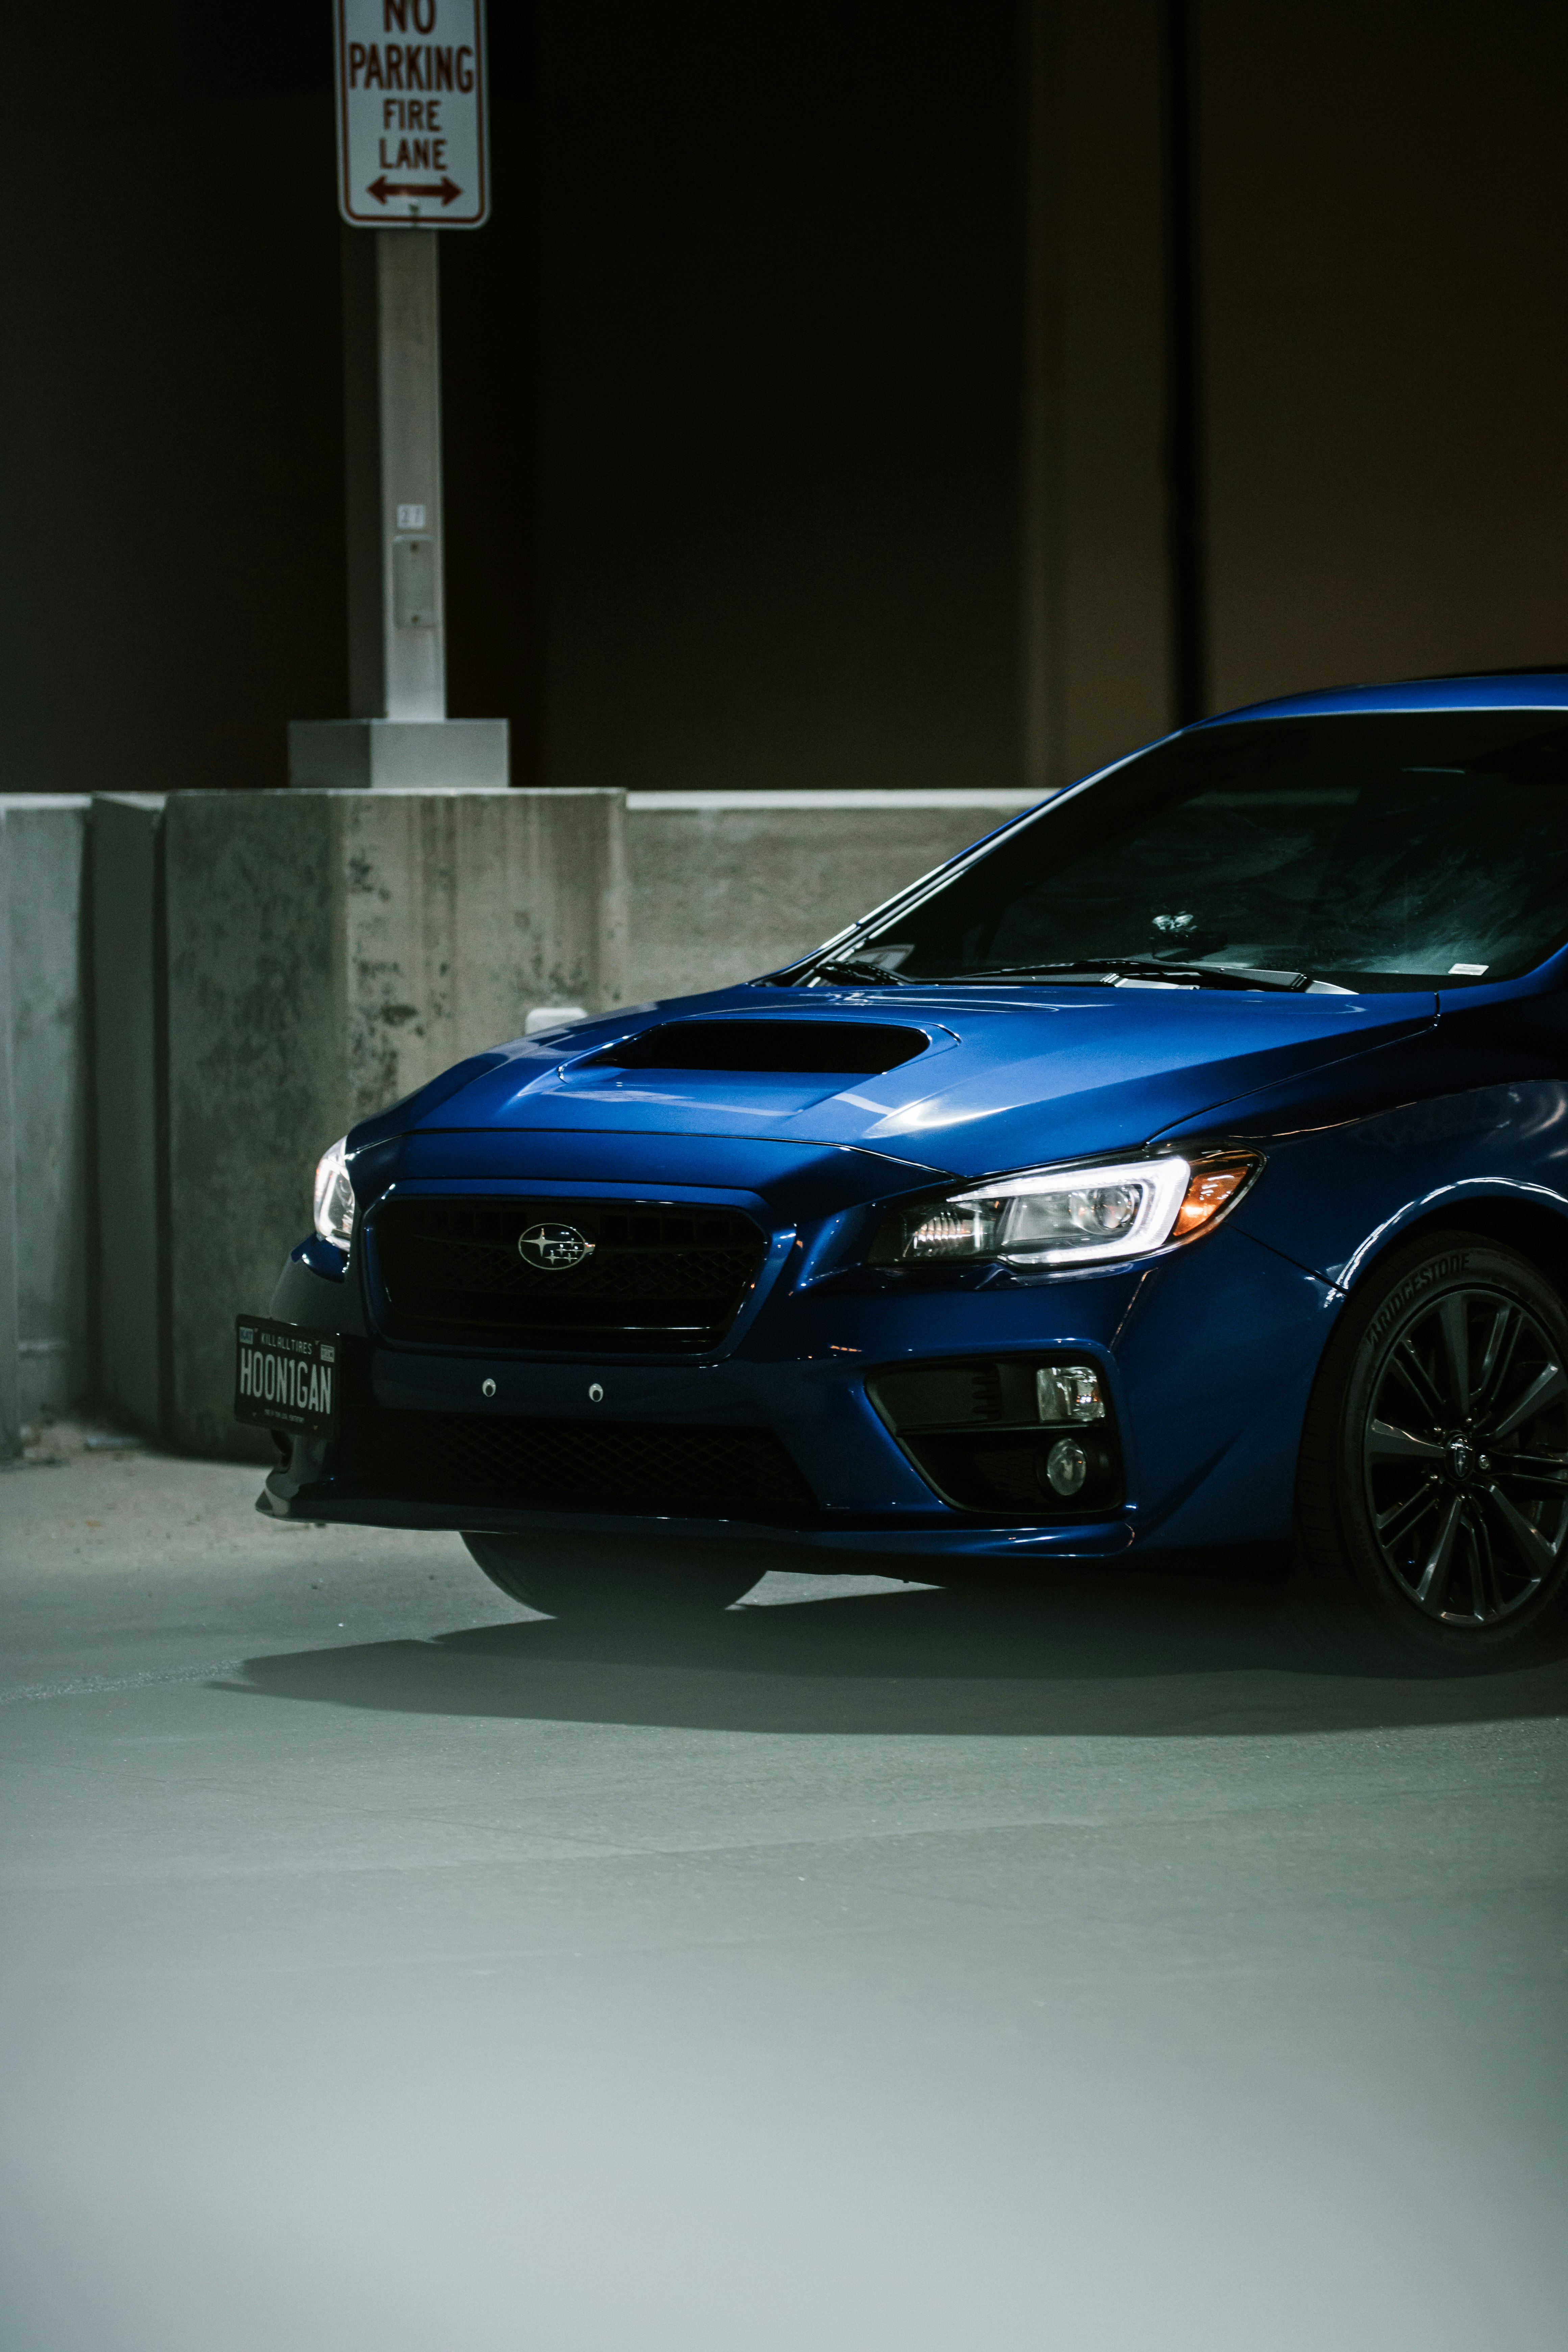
[(326, 956)]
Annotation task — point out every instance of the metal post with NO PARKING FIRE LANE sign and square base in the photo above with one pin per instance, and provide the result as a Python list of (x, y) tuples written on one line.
[(413, 159)]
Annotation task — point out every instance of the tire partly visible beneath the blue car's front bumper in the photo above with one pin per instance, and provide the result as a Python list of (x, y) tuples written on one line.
[(615, 1579)]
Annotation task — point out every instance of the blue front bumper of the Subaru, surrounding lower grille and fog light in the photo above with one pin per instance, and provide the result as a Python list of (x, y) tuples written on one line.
[(1207, 1356)]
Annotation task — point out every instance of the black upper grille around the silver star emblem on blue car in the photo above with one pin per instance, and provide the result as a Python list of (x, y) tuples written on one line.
[(657, 1278)]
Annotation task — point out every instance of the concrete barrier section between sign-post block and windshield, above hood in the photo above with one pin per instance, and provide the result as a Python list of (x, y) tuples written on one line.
[(728, 886)]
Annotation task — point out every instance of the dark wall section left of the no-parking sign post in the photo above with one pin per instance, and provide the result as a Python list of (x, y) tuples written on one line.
[(173, 420)]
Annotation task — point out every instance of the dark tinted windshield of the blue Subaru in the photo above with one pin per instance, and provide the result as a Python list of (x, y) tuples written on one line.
[(1393, 850)]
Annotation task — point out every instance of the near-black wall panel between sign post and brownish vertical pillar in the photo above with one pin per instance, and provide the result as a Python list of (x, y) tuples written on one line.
[(779, 269)]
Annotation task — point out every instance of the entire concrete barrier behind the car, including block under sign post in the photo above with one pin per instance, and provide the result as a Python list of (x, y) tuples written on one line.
[(269, 968)]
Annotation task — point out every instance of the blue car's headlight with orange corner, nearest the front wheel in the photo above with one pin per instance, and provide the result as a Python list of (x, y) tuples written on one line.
[(1073, 1217)]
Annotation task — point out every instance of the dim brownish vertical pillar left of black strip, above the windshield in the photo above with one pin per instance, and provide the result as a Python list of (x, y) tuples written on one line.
[(1097, 528)]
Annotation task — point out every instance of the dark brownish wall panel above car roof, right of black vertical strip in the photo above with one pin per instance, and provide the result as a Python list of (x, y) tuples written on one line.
[(1386, 338)]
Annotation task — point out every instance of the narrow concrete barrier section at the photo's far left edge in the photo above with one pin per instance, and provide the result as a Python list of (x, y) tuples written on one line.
[(46, 1109)]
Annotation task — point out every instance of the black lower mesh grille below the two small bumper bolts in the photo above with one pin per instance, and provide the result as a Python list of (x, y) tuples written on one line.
[(650, 1469)]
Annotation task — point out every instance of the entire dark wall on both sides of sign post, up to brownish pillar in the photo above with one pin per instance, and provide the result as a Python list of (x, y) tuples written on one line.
[(730, 399)]
